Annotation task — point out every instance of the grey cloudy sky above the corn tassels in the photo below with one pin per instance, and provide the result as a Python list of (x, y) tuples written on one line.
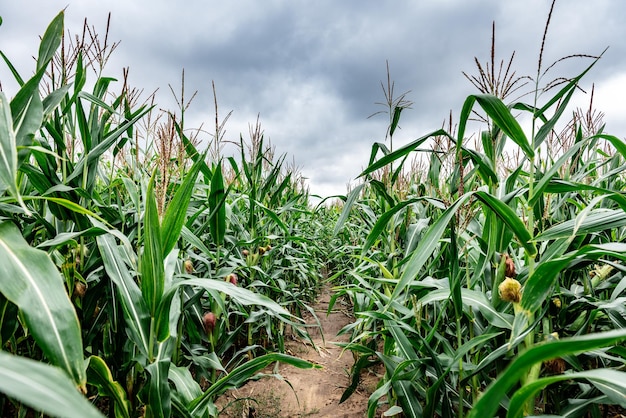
[(312, 70)]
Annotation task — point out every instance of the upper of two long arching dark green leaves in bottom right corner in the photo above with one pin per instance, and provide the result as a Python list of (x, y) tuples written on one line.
[(487, 405)]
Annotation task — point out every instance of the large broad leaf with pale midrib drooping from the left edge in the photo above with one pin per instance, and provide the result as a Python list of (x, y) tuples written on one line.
[(37, 288)]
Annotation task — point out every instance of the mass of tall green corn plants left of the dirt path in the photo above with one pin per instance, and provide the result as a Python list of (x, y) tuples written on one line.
[(139, 277)]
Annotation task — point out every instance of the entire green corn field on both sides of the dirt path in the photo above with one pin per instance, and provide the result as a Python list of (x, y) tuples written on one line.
[(144, 275)]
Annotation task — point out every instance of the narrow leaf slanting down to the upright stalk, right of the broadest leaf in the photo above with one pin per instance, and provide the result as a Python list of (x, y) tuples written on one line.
[(133, 304)]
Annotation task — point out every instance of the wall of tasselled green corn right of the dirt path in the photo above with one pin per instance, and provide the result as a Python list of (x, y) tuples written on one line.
[(485, 286)]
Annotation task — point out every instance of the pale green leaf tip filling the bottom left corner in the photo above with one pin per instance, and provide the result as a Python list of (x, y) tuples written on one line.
[(43, 387)]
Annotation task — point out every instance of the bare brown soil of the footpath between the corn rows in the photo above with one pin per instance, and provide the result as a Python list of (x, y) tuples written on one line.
[(313, 392)]
